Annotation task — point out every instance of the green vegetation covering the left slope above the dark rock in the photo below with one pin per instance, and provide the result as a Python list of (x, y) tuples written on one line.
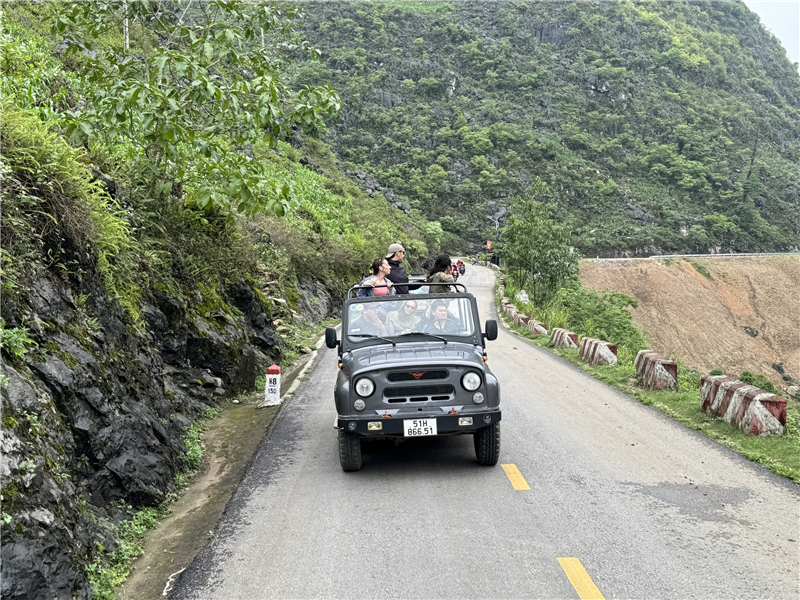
[(157, 229)]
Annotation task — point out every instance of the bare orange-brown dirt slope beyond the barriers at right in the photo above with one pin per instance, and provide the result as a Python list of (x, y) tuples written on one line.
[(734, 314)]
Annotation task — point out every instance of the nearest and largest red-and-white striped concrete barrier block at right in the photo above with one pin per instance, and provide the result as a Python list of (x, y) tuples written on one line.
[(753, 410)]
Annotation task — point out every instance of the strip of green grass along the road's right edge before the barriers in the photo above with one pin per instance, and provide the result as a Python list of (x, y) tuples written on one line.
[(780, 454)]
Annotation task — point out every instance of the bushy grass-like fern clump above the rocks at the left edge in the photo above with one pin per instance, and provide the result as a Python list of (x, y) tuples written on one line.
[(55, 211)]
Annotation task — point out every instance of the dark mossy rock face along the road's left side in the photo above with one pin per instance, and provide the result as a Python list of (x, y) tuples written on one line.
[(93, 416)]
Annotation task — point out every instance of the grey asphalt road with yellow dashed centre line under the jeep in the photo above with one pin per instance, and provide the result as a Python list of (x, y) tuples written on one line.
[(647, 507)]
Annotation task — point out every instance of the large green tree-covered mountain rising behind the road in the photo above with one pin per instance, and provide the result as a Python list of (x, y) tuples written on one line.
[(657, 126)]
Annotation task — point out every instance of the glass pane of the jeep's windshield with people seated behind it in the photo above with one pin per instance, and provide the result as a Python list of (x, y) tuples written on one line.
[(407, 318)]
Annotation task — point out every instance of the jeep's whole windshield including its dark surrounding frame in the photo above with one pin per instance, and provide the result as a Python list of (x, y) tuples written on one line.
[(399, 324)]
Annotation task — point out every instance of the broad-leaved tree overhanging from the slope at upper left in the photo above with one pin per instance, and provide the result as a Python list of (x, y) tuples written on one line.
[(192, 102)]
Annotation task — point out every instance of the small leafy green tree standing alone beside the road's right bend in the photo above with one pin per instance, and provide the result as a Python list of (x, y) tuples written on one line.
[(536, 247)]
